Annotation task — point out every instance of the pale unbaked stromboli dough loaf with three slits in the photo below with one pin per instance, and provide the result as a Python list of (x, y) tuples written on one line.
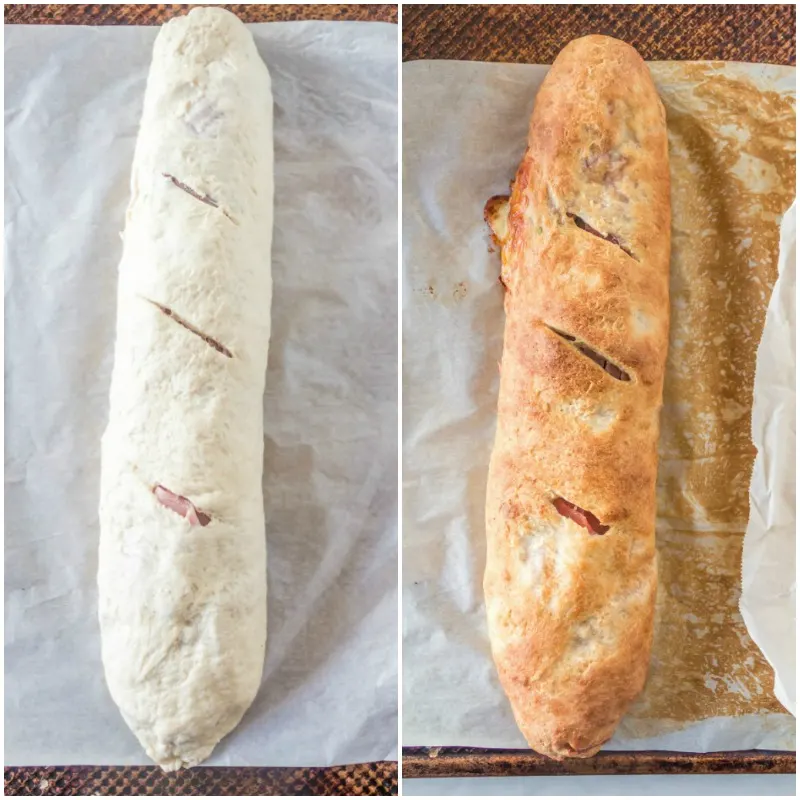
[(182, 569)]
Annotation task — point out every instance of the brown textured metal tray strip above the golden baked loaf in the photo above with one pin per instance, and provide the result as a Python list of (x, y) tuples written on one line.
[(535, 34)]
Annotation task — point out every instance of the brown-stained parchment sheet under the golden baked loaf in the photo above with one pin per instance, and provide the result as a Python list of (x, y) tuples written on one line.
[(731, 131)]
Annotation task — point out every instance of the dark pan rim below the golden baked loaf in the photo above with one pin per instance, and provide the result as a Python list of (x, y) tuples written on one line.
[(451, 762)]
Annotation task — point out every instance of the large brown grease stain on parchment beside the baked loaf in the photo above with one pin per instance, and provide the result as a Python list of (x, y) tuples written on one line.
[(732, 159)]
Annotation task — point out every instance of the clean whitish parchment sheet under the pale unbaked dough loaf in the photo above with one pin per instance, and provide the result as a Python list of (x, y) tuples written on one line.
[(73, 98)]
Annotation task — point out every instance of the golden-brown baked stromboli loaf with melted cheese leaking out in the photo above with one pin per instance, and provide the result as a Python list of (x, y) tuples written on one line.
[(570, 578)]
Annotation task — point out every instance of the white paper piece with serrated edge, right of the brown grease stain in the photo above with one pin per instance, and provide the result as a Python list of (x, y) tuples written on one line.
[(769, 595)]
